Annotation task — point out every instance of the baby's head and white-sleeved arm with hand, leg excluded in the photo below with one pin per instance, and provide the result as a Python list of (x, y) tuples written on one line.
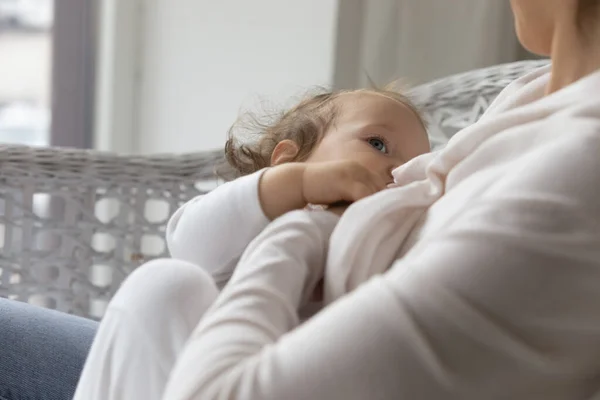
[(331, 149)]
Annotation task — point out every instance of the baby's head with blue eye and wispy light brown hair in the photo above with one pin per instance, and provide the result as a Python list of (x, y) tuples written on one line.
[(381, 129)]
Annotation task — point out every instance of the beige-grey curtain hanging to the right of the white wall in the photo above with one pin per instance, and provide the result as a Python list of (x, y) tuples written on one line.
[(420, 40)]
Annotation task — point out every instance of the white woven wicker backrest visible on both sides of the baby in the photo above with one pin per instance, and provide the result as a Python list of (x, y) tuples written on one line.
[(74, 223)]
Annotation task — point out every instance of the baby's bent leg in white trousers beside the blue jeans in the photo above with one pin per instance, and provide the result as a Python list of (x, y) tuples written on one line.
[(144, 329)]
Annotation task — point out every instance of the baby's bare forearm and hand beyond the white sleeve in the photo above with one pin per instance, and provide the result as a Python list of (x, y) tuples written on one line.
[(293, 186)]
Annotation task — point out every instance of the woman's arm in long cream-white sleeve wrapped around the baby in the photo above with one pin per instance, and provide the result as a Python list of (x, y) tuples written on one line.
[(504, 303)]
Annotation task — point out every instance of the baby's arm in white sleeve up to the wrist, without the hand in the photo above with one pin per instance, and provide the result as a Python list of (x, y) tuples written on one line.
[(213, 230)]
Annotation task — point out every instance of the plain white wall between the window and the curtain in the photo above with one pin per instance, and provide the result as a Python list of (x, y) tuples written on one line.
[(202, 59)]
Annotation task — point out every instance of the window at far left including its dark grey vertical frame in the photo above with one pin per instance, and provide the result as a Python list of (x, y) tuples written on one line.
[(46, 72)]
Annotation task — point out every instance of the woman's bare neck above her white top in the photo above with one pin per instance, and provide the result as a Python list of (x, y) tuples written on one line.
[(574, 55)]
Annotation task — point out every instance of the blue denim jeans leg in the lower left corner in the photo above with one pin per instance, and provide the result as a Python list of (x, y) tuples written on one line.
[(42, 352)]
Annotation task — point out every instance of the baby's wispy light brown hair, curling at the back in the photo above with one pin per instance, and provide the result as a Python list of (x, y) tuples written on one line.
[(251, 141)]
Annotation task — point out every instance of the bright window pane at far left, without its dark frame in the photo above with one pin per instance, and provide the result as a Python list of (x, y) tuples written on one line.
[(25, 70)]
